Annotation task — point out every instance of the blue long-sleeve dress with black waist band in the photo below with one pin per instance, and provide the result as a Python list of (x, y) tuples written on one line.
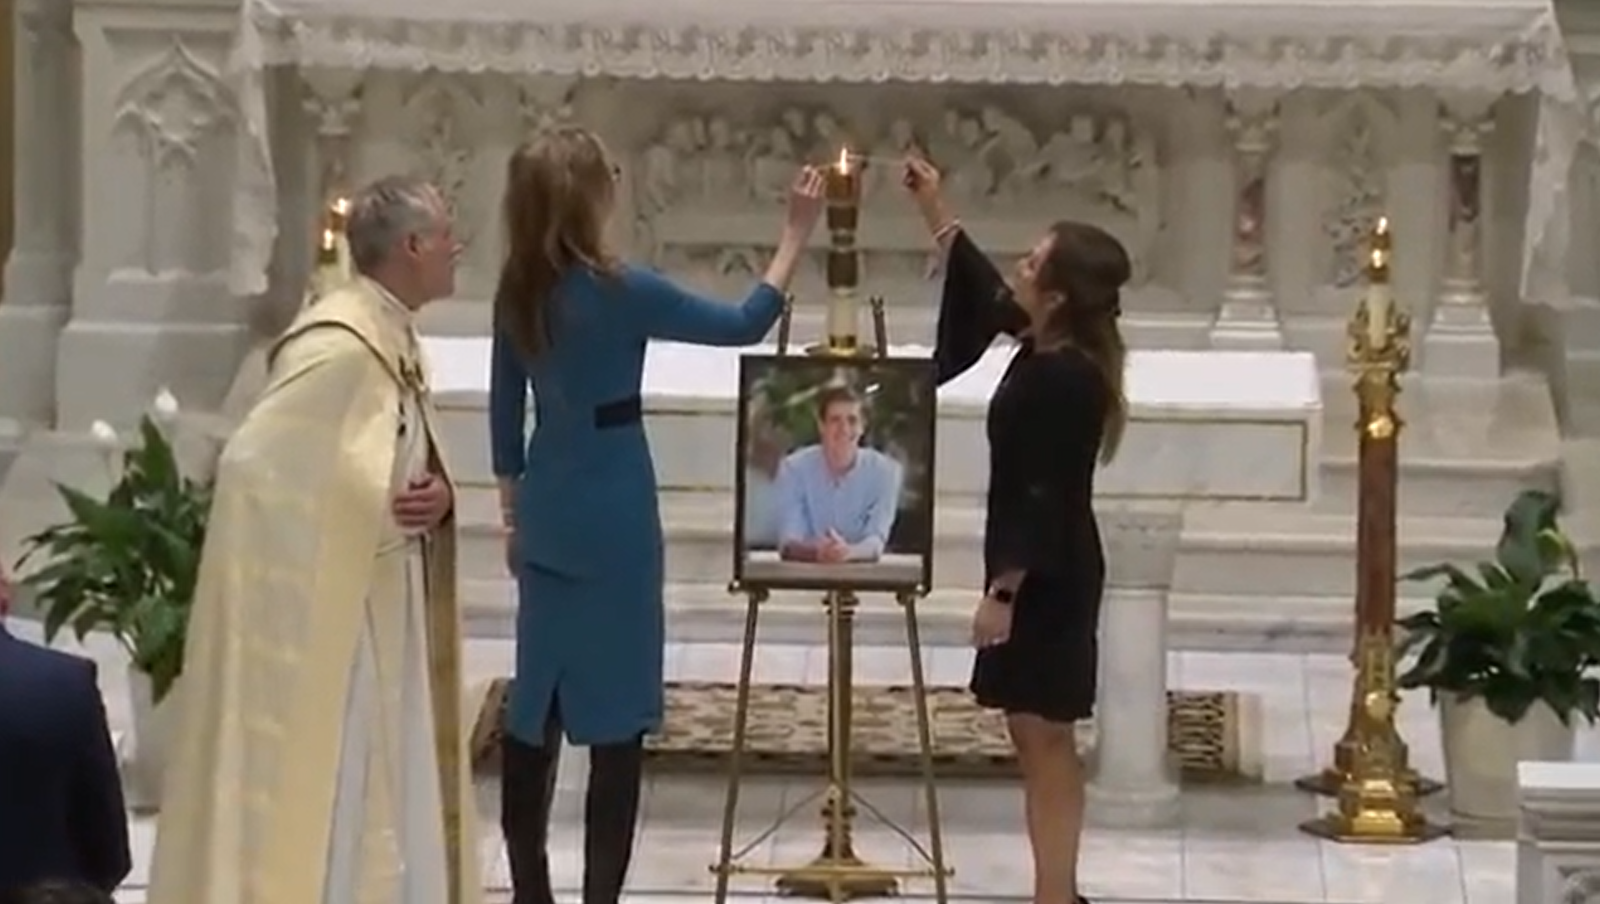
[(590, 545)]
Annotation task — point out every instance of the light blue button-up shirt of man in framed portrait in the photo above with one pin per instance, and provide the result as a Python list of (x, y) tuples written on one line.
[(858, 505)]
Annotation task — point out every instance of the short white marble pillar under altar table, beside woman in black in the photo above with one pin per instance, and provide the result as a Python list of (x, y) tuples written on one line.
[(1132, 783)]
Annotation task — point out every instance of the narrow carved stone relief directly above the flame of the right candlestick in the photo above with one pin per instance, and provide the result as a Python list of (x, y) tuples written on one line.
[(1361, 129)]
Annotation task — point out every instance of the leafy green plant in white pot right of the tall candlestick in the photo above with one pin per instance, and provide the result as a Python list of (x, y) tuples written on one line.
[(1508, 657)]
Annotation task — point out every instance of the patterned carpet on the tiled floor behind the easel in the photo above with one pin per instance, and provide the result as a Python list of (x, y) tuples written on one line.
[(1210, 734)]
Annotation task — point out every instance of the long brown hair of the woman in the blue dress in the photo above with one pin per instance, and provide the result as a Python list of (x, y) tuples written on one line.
[(559, 190)]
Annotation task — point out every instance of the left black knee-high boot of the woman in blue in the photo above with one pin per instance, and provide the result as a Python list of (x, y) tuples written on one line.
[(527, 793)]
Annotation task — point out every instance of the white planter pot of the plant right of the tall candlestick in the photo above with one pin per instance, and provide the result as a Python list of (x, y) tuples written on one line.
[(1482, 753)]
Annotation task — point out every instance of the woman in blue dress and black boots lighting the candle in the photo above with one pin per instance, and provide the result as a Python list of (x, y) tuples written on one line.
[(580, 498)]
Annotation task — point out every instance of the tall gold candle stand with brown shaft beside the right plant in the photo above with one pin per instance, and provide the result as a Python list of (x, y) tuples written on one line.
[(1372, 777)]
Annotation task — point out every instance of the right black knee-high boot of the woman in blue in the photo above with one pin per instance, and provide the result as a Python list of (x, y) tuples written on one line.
[(610, 818)]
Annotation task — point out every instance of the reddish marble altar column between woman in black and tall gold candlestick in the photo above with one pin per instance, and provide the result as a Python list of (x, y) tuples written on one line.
[(1249, 319)]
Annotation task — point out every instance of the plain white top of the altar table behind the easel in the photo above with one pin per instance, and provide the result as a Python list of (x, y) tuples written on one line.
[(1159, 383)]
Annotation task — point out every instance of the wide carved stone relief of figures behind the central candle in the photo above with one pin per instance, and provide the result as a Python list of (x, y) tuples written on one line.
[(710, 182)]
